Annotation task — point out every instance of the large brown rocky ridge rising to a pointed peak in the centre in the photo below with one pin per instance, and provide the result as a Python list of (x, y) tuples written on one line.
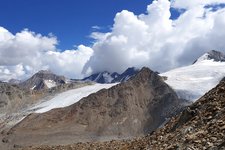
[(132, 108)]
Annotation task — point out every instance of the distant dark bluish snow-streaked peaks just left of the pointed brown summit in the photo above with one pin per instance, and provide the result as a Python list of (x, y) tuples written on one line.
[(106, 77)]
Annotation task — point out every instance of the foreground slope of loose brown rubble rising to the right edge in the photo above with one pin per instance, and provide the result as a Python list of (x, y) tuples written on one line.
[(199, 126)]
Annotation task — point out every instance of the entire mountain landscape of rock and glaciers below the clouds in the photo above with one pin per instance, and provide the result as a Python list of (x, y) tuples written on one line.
[(48, 109)]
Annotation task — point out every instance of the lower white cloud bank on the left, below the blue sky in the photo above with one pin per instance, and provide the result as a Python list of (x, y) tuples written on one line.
[(26, 52)]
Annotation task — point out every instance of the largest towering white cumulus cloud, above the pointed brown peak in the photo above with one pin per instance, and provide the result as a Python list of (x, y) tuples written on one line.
[(155, 40)]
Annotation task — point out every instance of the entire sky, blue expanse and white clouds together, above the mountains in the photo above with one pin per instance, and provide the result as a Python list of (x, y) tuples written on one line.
[(139, 37)]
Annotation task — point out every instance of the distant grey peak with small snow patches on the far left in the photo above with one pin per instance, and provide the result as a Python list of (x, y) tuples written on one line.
[(43, 80)]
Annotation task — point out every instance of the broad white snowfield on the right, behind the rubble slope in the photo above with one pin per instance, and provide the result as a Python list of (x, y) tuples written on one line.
[(192, 82)]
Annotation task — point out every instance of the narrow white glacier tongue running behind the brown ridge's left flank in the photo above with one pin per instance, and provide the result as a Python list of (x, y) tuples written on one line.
[(69, 97)]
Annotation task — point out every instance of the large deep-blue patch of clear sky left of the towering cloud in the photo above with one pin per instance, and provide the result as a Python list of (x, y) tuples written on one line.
[(70, 20)]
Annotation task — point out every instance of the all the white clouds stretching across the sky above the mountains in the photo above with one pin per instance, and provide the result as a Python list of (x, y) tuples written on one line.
[(151, 39)]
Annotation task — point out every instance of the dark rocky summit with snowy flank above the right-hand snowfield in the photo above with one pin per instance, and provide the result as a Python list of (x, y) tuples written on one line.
[(212, 55)]
